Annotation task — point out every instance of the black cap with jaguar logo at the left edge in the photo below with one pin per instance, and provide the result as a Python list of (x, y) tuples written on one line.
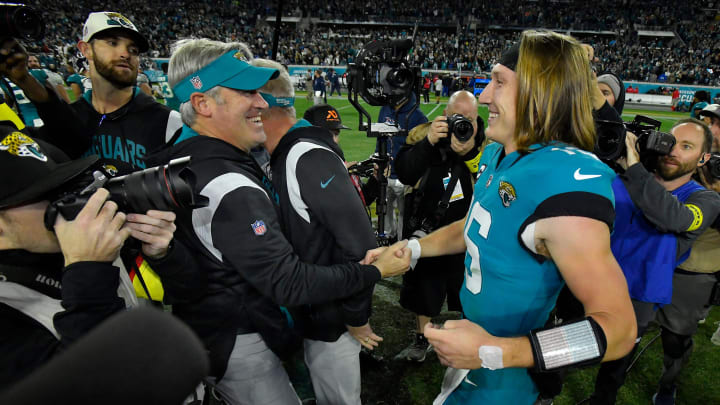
[(32, 168)]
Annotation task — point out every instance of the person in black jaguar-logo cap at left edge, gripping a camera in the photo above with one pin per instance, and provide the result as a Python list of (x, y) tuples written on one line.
[(55, 285)]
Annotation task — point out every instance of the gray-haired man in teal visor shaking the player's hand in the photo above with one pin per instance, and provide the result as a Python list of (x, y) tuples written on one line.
[(248, 266)]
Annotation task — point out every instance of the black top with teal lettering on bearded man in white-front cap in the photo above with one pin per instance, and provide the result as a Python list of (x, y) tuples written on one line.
[(122, 138)]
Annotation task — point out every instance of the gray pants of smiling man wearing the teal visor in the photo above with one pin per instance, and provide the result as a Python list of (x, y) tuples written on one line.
[(255, 376)]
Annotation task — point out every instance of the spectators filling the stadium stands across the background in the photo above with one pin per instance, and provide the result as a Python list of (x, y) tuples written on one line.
[(690, 56)]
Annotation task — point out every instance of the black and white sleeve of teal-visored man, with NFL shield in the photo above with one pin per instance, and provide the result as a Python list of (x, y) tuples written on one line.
[(240, 227)]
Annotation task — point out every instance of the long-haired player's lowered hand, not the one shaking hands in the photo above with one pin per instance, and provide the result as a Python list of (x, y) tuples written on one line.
[(457, 343)]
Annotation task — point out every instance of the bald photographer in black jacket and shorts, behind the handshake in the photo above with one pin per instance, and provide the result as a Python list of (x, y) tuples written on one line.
[(441, 169)]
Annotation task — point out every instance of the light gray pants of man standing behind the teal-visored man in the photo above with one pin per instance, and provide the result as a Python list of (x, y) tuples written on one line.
[(334, 370)]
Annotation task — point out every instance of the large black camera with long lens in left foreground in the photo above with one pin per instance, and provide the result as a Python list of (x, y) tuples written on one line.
[(163, 188)]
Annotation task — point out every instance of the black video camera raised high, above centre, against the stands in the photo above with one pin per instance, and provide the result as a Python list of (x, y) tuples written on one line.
[(382, 73)]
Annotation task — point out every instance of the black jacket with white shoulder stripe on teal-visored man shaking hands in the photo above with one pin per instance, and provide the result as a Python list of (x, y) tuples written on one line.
[(248, 266)]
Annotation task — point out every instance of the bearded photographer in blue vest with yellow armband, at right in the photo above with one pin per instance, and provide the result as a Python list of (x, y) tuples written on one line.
[(658, 216)]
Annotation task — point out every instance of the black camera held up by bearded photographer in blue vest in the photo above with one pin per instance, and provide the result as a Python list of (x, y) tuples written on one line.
[(651, 143)]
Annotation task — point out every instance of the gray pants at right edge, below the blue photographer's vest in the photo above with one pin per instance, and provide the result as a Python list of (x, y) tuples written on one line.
[(679, 321)]
